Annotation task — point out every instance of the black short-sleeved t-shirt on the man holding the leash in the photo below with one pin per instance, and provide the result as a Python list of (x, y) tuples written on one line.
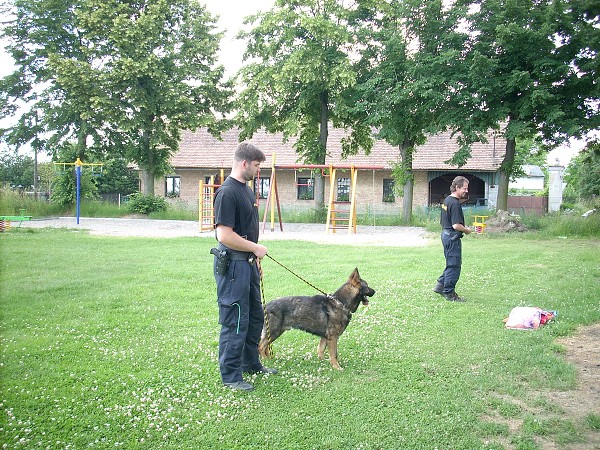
[(235, 207)]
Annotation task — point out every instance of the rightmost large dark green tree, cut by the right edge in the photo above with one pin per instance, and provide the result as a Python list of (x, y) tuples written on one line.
[(531, 68)]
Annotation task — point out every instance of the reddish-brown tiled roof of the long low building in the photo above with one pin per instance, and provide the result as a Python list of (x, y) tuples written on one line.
[(200, 149)]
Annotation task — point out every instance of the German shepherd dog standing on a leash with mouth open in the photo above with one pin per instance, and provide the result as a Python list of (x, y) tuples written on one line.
[(326, 316)]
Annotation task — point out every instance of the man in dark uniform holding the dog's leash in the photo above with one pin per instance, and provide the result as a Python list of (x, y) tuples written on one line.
[(236, 271)]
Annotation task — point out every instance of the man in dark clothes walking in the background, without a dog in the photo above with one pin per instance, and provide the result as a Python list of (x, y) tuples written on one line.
[(453, 227)]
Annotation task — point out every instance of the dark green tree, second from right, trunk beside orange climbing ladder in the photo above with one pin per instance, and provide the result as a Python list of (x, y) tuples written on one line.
[(411, 51)]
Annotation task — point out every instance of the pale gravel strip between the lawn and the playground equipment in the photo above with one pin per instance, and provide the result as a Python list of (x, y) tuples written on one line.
[(365, 235)]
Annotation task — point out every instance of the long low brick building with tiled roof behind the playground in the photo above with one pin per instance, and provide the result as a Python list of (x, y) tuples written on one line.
[(202, 156)]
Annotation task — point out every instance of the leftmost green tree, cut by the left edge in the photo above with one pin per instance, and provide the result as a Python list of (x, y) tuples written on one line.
[(47, 111)]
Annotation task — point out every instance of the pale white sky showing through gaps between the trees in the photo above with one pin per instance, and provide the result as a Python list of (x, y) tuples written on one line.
[(231, 14)]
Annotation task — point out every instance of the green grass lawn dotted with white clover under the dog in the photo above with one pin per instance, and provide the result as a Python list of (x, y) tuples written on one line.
[(112, 343)]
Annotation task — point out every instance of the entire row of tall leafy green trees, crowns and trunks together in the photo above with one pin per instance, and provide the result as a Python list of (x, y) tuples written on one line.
[(126, 77)]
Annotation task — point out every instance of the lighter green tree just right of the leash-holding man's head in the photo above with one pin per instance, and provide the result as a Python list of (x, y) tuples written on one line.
[(302, 75)]
